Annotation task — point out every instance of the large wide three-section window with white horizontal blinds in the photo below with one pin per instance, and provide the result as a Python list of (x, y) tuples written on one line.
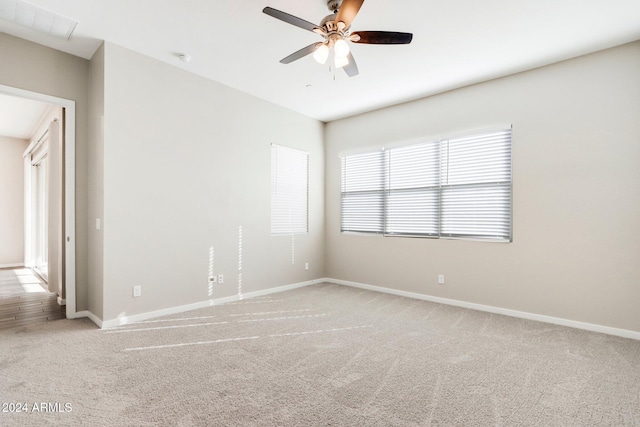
[(456, 188)]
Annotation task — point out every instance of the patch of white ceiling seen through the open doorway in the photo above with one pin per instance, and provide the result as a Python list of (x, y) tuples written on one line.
[(19, 116)]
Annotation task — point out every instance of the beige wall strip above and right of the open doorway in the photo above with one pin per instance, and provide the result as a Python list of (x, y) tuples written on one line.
[(36, 68)]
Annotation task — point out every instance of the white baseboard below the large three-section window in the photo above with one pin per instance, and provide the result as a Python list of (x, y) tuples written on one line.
[(497, 310)]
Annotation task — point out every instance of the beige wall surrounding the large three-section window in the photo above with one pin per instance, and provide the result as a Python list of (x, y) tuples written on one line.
[(576, 191)]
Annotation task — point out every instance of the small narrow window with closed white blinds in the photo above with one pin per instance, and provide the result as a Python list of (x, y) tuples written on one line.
[(289, 190)]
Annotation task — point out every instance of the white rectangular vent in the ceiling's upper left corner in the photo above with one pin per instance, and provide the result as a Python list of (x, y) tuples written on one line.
[(28, 15)]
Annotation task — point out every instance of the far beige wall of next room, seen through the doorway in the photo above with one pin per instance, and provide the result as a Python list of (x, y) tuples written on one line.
[(12, 201)]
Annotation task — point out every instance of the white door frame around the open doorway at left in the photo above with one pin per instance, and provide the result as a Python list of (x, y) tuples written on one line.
[(69, 114)]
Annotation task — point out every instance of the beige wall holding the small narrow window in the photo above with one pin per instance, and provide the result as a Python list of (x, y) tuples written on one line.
[(186, 163)]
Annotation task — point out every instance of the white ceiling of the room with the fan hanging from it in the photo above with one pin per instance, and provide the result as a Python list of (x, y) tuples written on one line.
[(456, 43)]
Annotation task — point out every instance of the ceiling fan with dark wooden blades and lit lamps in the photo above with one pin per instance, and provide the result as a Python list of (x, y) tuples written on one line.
[(335, 30)]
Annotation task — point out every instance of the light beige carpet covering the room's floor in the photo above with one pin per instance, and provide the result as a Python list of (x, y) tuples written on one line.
[(323, 355)]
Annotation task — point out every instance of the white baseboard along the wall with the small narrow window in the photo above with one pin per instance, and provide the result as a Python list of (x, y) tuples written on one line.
[(125, 320)]
